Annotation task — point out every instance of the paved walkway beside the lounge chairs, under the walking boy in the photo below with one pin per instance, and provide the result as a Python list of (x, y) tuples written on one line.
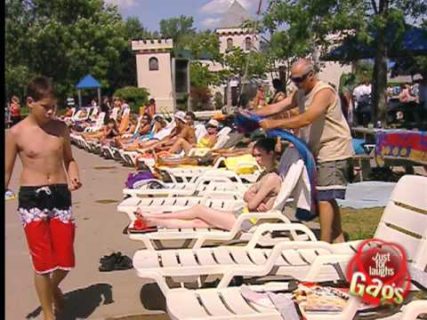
[(90, 294)]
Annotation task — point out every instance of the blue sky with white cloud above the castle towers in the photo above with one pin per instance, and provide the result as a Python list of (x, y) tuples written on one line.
[(206, 13)]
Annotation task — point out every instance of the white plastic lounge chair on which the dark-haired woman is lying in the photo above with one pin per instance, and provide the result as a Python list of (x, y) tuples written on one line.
[(197, 237)]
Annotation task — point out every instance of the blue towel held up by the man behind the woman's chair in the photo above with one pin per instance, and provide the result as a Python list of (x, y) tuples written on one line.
[(248, 123)]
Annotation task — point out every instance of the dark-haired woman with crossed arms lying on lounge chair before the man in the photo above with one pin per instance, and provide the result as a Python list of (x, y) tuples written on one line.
[(260, 197)]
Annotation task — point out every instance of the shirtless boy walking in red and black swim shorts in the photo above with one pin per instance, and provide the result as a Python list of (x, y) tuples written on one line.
[(49, 174)]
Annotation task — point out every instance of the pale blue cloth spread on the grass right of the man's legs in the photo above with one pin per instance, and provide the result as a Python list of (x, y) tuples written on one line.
[(369, 194)]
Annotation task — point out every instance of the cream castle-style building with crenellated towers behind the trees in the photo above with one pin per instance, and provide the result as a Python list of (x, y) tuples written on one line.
[(167, 77)]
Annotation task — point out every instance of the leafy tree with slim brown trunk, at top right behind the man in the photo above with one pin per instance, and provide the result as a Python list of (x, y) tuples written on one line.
[(312, 22)]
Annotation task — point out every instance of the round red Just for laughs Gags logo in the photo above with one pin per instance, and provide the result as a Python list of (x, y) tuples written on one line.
[(378, 273)]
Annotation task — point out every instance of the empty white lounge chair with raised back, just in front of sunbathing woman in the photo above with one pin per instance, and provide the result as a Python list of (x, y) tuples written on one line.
[(296, 259)]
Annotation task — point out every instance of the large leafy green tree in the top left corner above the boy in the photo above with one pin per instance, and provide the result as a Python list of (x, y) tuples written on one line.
[(63, 40)]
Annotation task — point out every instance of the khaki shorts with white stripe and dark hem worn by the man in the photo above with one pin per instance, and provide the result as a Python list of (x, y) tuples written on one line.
[(332, 179)]
